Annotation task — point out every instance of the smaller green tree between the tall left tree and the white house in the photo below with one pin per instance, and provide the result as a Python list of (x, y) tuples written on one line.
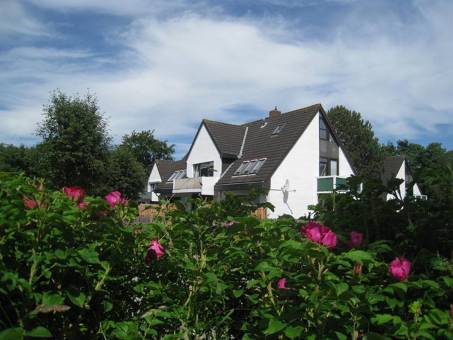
[(146, 148)]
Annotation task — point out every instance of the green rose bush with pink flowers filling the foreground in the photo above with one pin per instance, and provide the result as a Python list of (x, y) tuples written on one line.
[(211, 272)]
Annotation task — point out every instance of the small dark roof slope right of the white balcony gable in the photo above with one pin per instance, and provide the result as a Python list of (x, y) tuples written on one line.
[(227, 137)]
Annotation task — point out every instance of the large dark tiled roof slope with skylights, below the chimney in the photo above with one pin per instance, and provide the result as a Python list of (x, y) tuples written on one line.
[(261, 143)]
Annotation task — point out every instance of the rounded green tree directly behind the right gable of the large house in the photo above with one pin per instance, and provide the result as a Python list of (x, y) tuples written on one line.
[(357, 135)]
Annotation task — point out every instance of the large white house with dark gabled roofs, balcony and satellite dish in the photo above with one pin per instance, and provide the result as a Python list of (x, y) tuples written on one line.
[(292, 158)]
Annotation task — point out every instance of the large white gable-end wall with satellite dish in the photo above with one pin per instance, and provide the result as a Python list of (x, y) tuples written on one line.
[(301, 168)]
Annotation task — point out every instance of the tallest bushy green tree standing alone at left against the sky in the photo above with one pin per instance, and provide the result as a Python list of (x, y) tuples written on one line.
[(76, 142)]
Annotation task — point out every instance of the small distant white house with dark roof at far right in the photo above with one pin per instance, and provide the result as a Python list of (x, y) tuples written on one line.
[(396, 167)]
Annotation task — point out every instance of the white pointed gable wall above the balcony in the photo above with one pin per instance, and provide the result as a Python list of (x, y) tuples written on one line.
[(204, 150)]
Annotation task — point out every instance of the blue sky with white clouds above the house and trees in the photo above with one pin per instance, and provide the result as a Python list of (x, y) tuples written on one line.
[(165, 65)]
